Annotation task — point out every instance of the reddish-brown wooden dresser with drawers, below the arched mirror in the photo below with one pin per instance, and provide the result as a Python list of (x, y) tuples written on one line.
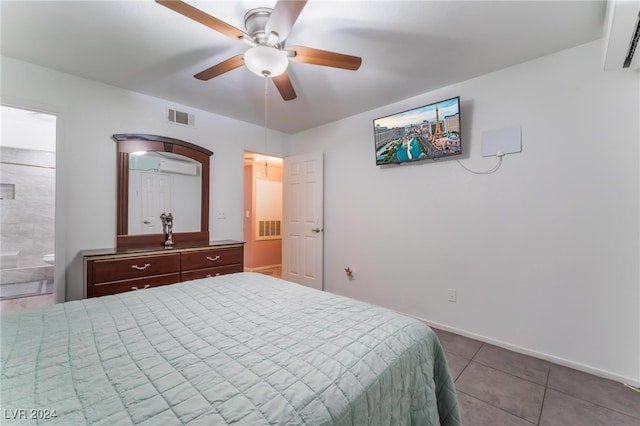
[(113, 271)]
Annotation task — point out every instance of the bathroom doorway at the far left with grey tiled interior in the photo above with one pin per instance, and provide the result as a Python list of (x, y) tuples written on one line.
[(27, 203)]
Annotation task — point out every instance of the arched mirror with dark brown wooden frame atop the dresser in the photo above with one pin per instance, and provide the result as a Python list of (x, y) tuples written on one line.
[(160, 175)]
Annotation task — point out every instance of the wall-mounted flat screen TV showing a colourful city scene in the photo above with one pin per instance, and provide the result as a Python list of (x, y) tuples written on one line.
[(427, 132)]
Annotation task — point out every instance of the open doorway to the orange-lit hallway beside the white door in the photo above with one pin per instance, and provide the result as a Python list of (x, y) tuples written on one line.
[(263, 213)]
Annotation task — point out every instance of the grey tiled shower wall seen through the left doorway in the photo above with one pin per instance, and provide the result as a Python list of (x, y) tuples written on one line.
[(27, 223)]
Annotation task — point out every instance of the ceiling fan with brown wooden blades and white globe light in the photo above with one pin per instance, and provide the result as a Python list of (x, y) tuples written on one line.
[(266, 32)]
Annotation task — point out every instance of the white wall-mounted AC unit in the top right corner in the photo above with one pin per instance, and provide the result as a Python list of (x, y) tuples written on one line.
[(622, 30)]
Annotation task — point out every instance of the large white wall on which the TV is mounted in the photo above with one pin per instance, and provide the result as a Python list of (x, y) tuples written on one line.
[(544, 254)]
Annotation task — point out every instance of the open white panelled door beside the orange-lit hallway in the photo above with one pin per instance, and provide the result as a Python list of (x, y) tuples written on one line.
[(302, 220)]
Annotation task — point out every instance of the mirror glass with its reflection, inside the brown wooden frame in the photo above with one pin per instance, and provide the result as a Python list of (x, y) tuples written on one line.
[(163, 182)]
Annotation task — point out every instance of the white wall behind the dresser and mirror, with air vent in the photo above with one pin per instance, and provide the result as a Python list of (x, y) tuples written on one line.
[(89, 113)]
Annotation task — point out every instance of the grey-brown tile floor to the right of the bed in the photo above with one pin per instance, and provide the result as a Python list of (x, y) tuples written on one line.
[(497, 387)]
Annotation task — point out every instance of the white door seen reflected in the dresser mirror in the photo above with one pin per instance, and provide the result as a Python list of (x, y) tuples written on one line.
[(157, 198)]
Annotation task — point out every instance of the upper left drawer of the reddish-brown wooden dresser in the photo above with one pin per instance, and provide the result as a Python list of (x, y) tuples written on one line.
[(106, 270)]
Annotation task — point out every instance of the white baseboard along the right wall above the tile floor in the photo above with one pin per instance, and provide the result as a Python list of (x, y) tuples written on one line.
[(551, 358)]
